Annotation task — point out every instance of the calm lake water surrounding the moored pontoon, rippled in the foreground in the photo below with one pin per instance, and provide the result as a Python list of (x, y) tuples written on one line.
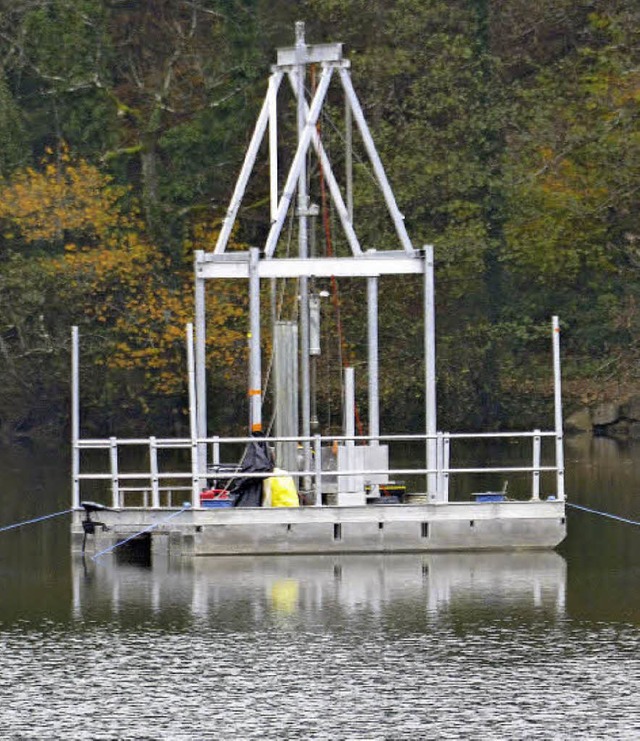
[(542, 645)]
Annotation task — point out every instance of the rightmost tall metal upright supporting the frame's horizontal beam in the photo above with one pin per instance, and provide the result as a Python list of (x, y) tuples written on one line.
[(430, 368)]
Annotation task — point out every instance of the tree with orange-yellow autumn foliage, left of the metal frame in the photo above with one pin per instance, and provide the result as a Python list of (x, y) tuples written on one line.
[(87, 261)]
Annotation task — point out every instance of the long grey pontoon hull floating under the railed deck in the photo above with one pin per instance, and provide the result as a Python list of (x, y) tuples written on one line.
[(373, 529)]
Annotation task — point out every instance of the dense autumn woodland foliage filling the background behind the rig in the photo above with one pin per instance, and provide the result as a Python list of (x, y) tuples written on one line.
[(509, 130)]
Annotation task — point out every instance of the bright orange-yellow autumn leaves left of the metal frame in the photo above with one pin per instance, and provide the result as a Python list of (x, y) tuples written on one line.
[(84, 233)]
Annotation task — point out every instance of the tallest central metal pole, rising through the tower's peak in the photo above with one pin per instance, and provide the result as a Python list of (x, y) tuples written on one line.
[(303, 251)]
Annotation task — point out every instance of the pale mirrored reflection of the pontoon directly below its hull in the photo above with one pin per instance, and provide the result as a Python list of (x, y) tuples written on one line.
[(251, 590)]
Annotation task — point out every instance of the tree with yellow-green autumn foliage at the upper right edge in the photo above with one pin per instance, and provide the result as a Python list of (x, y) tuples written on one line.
[(572, 224)]
